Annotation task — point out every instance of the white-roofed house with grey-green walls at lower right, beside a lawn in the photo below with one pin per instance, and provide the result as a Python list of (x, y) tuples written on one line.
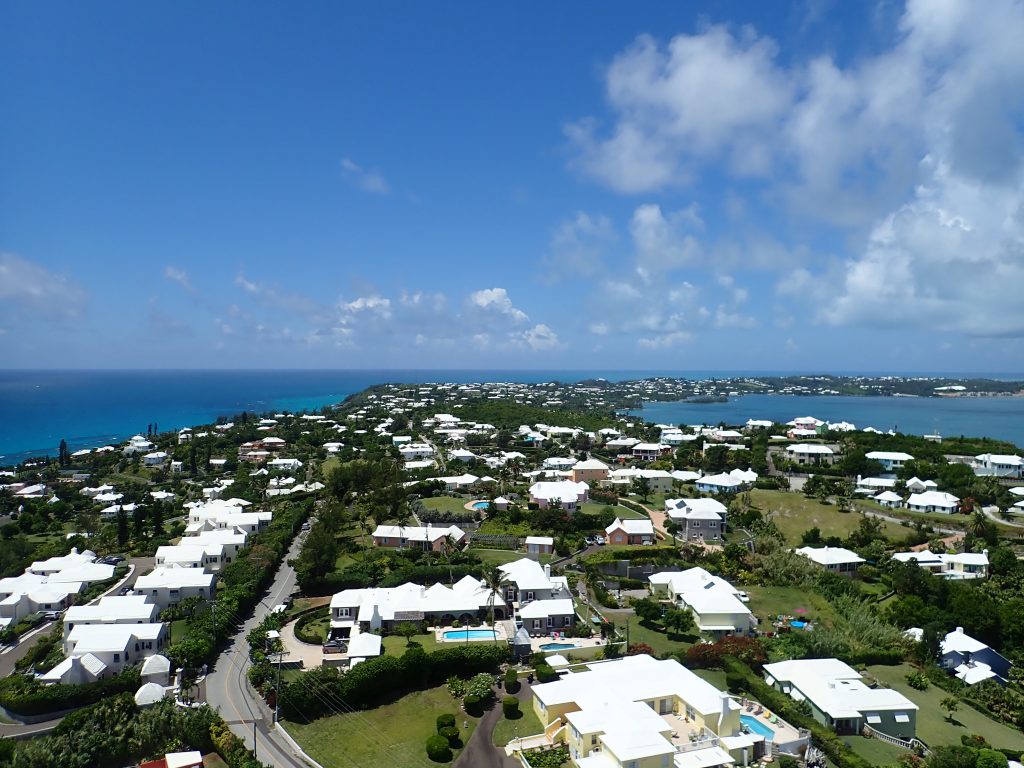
[(841, 700)]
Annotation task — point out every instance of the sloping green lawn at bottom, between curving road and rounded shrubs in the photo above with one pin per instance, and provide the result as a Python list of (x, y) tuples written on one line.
[(393, 735)]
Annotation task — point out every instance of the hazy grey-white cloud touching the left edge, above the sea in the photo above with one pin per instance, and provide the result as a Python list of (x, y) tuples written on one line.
[(28, 288)]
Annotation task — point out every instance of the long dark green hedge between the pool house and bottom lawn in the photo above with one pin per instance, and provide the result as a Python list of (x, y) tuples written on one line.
[(385, 678)]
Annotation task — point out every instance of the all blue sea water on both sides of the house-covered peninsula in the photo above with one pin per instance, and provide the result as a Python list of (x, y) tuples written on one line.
[(94, 408)]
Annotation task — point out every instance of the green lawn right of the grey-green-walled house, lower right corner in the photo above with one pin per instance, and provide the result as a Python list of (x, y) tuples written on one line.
[(933, 729)]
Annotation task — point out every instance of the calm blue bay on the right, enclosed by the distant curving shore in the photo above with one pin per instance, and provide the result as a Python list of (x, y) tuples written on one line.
[(977, 417)]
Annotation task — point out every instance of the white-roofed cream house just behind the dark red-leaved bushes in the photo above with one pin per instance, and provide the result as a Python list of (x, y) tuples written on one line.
[(715, 604)]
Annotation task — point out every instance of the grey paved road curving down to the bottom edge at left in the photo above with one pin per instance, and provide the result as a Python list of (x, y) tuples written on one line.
[(228, 688)]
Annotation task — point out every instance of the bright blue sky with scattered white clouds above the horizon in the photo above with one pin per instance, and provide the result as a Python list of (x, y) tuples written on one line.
[(707, 186)]
